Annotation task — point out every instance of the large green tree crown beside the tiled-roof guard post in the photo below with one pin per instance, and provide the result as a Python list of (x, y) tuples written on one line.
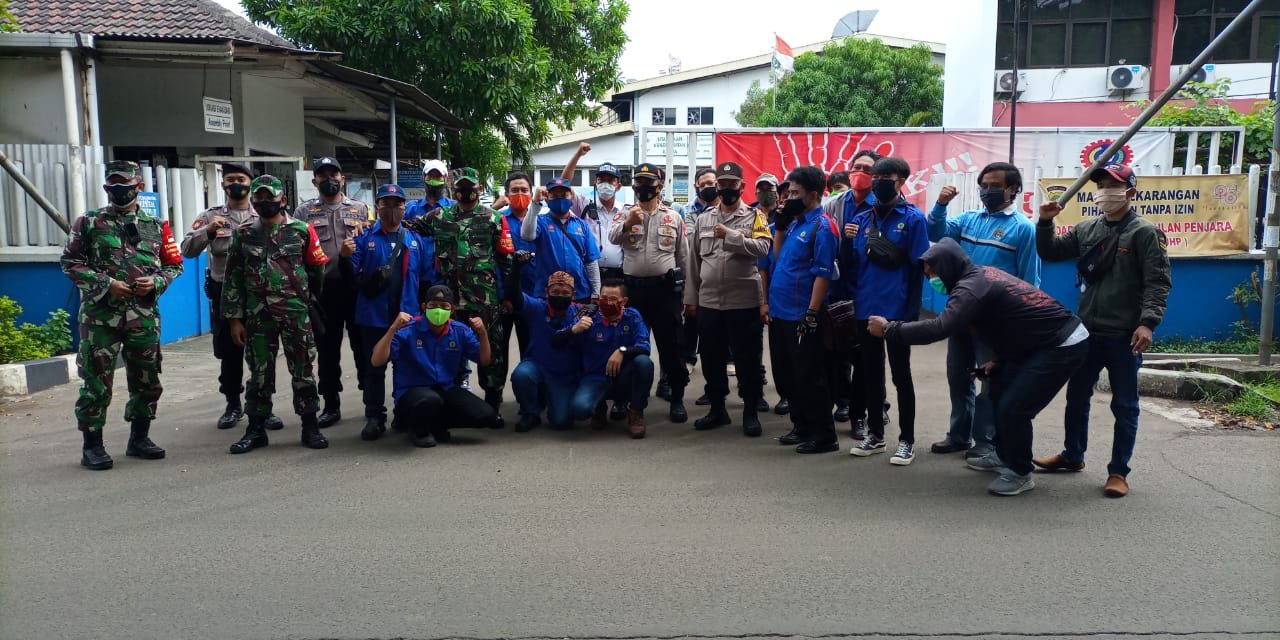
[(510, 68)]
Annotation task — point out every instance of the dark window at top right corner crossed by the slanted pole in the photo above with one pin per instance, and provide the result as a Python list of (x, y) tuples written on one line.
[(1201, 21)]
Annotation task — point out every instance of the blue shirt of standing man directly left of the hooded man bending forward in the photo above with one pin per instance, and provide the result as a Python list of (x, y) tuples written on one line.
[(893, 294)]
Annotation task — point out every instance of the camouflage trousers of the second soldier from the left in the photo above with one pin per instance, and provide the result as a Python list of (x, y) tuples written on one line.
[(264, 336)]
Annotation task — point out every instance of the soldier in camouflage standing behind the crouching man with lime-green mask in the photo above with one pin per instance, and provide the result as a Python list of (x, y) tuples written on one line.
[(473, 252)]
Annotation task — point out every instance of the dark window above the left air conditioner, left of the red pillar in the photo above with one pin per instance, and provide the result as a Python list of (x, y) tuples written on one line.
[(1075, 33)]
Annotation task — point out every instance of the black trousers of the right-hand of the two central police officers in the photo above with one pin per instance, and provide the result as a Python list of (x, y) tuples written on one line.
[(735, 331)]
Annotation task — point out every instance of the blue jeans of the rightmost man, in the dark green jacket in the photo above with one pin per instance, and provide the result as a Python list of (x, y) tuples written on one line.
[(1110, 353)]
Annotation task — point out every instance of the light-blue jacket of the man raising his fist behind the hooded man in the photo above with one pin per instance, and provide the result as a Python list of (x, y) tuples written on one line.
[(1005, 240)]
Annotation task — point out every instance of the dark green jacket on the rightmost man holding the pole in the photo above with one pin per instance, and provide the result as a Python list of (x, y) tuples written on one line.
[(1135, 292)]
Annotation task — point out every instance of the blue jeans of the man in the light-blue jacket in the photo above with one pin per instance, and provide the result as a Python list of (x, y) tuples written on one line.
[(972, 417)]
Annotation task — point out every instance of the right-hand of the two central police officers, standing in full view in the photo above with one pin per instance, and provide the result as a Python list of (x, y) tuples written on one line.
[(724, 295)]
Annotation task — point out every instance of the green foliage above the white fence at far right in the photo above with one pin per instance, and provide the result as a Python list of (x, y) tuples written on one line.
[(1209, 108)]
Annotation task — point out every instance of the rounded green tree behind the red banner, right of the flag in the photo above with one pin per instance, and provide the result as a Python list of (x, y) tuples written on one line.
[(854, 83)]
